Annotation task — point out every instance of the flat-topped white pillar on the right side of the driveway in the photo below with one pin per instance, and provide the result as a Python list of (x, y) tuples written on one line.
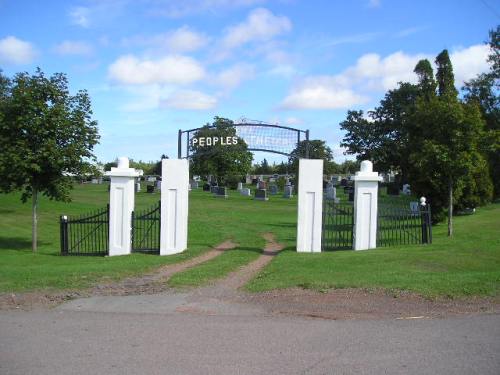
[(310, 208)]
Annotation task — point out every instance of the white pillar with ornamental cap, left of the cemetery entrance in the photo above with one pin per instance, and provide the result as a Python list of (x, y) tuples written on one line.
[(121, 205)]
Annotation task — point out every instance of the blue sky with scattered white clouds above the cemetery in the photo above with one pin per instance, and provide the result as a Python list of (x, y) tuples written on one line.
[(155, 66)]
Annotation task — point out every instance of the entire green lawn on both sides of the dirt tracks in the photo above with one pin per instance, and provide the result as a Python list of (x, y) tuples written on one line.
[(468, 264)]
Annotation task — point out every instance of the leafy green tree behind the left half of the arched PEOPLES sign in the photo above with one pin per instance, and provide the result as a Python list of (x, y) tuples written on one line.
[(221, 160)]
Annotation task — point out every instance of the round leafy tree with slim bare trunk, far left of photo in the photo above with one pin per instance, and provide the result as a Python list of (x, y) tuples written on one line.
[(46, 136)]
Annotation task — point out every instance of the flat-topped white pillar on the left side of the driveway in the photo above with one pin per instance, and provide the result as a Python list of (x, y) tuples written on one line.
[(174, 206)]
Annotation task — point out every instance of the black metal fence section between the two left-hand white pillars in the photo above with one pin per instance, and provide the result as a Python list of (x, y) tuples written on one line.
[(146, 230)]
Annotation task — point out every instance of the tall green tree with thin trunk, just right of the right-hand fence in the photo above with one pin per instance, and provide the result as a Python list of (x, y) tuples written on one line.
[(448, 150)]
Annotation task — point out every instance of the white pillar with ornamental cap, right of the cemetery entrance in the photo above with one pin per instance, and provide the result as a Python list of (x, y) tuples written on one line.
[(365, 207)]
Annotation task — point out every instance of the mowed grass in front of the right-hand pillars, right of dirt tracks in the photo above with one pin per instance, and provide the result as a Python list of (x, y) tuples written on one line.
[(467, 264)]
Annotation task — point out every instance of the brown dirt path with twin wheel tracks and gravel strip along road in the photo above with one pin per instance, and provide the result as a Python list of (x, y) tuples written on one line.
[(225, 297)]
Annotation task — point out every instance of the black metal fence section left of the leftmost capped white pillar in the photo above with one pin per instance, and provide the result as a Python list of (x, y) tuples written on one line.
[(85, 234)]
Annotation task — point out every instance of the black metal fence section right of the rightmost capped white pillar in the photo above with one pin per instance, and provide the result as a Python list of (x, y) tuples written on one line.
[(403, 225)]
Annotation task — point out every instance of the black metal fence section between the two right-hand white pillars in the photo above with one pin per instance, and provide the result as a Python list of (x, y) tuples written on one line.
[(338, 223)]
